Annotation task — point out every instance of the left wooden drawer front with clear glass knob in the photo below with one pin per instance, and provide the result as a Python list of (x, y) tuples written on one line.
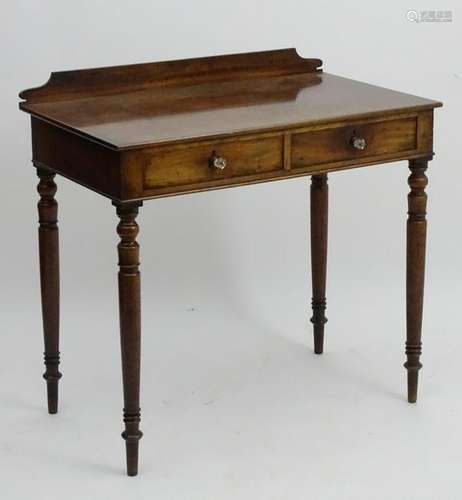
[(190, 164)]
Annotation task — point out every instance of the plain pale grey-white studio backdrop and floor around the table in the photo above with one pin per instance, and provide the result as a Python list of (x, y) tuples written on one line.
[(235, 405)]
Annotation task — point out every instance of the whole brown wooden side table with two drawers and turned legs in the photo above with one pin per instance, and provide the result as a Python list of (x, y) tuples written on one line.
[(138, 132)]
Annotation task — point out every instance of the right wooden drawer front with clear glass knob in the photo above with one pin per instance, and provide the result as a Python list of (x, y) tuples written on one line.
[(351, 142)]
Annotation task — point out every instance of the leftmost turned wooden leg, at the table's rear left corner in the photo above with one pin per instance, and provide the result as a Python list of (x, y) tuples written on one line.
[(49, 281)]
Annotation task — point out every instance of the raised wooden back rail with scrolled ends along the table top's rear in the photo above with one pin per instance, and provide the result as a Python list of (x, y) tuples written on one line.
[(65, 85)]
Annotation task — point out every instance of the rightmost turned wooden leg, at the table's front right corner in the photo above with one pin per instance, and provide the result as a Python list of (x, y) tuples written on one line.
[(416, 237)]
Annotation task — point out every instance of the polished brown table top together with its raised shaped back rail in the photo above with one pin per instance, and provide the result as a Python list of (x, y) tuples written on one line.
[(149, 104)]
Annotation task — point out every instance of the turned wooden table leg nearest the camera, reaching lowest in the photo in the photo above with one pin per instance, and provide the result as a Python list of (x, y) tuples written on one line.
[(130, 328)]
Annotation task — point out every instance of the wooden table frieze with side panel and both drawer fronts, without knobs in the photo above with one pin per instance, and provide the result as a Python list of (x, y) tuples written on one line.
[(143, 173)]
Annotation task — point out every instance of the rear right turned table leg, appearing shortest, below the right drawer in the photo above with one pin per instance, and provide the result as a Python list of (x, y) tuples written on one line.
[(319, 216)]
